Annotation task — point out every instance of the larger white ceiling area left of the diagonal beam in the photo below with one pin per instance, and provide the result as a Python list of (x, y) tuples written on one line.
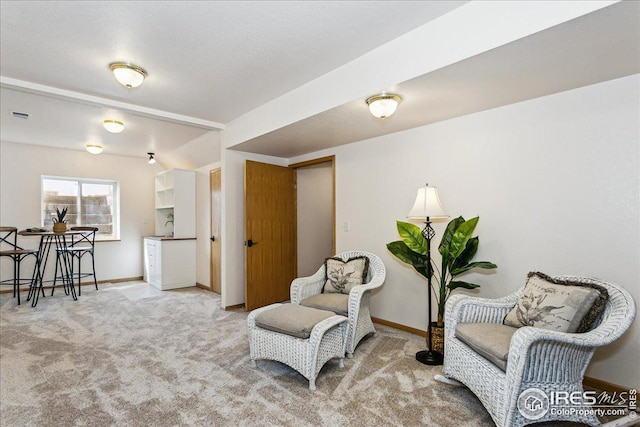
[(210, 61)]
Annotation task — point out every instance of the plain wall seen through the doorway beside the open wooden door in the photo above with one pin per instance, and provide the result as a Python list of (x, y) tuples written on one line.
[(315, 216)]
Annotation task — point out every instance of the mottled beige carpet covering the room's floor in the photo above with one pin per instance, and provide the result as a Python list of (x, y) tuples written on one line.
[(129, 355)]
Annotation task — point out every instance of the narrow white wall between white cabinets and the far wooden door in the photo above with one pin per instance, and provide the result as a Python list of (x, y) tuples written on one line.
[(203, 224)]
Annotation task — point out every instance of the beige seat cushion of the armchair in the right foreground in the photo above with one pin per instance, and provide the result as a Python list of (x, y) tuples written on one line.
[(490, 340)]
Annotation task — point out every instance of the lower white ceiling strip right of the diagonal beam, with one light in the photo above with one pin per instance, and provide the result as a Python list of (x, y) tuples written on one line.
[(597, 47)]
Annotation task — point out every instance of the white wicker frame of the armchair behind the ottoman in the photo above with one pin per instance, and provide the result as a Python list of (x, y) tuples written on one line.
[(360, 323)]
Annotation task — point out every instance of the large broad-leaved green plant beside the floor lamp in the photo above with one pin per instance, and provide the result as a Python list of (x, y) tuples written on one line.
[(457, 249)]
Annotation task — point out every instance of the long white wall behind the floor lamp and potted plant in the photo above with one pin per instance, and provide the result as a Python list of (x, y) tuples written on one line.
[(555, 181)]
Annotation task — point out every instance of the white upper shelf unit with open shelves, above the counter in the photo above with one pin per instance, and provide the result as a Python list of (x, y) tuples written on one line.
[(176, 194)]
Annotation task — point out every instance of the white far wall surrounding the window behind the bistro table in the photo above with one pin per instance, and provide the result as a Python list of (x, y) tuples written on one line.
[(20, 171)]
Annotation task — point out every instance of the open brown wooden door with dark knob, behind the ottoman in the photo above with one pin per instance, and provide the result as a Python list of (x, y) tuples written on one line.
[(270, 233)]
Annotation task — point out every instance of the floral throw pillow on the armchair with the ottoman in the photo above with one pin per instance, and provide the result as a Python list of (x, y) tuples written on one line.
[(341, 275)]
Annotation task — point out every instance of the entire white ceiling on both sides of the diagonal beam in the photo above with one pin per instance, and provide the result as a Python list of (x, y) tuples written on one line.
[(211, 62)]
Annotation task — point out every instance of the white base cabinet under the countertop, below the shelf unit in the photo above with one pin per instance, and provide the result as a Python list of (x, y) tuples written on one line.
[(170, 263)]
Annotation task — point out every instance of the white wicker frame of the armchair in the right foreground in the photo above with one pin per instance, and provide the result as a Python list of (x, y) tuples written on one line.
[(537, 358)]
